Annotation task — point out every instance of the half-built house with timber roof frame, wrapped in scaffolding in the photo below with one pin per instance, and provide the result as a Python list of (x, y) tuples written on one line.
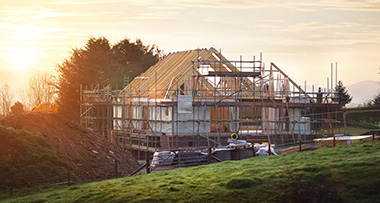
[(199, 98)]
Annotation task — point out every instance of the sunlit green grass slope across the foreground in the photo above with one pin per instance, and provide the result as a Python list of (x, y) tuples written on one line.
[(340, 174)]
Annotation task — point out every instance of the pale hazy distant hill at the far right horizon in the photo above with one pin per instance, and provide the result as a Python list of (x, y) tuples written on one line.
[(363, 91)]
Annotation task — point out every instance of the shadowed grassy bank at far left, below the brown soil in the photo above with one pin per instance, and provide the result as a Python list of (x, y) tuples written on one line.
[(28, 160)]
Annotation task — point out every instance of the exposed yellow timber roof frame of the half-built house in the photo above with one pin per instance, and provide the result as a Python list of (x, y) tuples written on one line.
[(206, 72)]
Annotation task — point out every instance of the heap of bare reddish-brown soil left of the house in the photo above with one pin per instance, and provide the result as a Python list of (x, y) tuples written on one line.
[(88, 154)]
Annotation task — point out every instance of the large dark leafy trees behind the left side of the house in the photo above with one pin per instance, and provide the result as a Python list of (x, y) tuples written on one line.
[(100, 62)]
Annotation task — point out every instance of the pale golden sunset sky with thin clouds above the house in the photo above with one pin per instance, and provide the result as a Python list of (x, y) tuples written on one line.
[(301, 37)]
